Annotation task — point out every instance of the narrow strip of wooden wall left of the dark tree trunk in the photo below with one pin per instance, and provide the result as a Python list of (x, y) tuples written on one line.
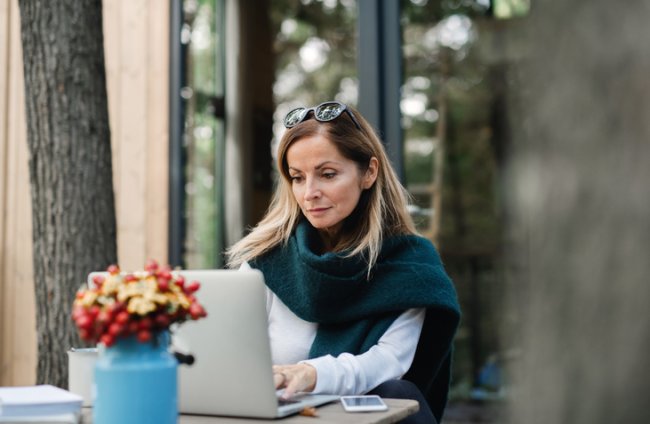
[(17, 308)]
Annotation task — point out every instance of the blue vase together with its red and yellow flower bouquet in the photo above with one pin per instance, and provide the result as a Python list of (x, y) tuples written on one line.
[(129, 315)]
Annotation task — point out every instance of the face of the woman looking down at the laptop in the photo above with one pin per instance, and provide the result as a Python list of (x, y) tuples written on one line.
[(326, 185)]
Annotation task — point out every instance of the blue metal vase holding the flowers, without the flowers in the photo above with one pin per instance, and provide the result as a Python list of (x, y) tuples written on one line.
[(136, 382)]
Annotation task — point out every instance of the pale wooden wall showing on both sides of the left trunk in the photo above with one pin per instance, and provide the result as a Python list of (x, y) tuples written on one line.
[(136, 40)]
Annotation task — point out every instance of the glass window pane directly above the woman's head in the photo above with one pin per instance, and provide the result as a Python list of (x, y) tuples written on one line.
[(315, 53)]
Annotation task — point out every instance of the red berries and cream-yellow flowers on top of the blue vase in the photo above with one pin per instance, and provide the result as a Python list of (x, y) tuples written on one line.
[(134, 304)]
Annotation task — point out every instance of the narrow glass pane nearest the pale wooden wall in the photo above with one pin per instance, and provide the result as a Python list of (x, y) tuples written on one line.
[(203, 131)]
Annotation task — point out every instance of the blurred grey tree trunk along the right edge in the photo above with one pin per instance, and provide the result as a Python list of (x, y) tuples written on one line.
[(580, 177)]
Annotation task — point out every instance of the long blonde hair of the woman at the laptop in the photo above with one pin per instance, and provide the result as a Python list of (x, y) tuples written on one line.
[(384, 205)]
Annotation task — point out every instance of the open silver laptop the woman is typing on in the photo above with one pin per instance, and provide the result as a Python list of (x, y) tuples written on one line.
[(232, 373)]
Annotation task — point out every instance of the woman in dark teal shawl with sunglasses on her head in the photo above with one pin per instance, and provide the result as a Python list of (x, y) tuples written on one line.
[(349, 281)]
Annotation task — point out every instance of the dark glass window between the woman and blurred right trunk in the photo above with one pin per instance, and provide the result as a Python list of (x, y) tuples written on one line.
[(457, 61)]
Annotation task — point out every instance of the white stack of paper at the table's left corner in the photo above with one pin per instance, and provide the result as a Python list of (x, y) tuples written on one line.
[(44, 403)]
